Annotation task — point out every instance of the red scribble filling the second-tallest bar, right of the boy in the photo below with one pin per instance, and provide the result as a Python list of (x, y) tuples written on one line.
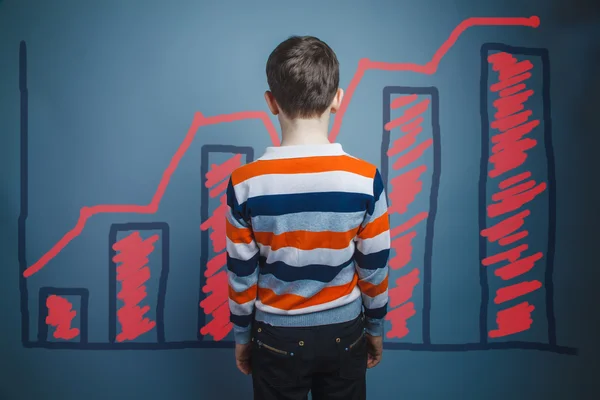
[(406, 154)]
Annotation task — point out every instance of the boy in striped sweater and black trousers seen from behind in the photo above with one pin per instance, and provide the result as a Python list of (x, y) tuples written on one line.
[(307, 244)]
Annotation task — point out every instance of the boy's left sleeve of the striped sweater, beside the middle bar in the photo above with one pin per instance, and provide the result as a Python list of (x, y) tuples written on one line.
[(242, 267)]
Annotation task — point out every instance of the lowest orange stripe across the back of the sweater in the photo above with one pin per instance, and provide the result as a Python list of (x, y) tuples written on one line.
[(290, 301)]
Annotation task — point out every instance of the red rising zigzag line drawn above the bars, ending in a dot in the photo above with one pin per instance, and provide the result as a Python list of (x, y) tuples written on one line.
[(200, 120)]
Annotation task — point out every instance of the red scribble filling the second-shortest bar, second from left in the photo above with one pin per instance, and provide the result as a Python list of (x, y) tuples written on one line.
[(133, 272)]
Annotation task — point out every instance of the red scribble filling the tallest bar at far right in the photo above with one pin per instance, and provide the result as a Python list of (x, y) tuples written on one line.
[(513, 137)]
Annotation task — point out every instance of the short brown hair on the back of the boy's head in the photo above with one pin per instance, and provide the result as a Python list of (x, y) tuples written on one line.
[(303, 74)]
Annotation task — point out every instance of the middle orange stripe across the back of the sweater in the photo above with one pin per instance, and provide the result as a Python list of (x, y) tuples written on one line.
[(306, 240)]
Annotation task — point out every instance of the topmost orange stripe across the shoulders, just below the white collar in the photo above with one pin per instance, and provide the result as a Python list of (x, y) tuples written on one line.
[(302, 165)]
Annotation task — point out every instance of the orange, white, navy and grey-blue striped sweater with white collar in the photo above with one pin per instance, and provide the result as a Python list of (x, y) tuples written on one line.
[(308, 240)]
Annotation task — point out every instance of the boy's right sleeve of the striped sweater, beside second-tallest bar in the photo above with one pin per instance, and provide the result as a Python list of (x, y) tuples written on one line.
[(371, 257)]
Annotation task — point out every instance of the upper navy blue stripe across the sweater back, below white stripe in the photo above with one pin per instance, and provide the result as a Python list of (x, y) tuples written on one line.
[(305, 202)]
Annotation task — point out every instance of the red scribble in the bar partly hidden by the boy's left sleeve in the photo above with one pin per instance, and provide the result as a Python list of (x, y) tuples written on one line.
[(216, 303)]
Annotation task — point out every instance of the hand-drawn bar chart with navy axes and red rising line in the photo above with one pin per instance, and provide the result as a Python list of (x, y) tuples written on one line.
[(516, 220)]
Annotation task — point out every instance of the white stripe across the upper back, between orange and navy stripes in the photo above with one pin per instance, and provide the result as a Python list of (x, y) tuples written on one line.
[(321, 182)]
